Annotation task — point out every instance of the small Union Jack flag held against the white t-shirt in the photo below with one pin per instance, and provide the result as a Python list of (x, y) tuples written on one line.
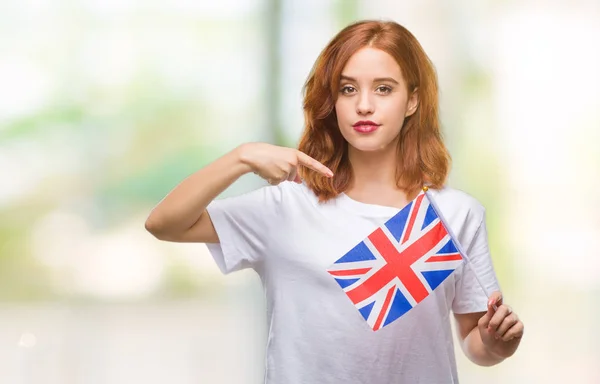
[(398, 265)]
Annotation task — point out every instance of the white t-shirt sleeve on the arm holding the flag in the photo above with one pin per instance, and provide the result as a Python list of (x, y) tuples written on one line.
[(469, 295)]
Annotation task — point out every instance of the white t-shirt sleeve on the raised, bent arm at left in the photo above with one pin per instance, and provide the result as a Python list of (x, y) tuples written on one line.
[(242, 224)]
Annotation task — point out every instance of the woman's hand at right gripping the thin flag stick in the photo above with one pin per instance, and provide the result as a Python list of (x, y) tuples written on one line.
[(501, 330)]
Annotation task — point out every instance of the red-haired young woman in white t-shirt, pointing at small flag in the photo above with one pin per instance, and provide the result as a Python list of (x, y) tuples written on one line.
[(371, 141)]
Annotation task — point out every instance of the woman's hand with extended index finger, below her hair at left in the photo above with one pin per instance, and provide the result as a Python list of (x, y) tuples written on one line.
[(277, 164)]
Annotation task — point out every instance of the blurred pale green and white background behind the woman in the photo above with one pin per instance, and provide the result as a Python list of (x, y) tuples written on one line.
[(106, 105)]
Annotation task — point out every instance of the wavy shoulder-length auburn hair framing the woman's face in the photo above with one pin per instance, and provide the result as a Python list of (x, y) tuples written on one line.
[(422, 156)]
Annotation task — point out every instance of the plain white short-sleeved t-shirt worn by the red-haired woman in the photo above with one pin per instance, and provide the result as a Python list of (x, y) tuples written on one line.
[(315, 334)]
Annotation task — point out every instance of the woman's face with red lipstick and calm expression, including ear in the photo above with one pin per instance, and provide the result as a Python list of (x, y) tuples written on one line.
[(373, 101)]
